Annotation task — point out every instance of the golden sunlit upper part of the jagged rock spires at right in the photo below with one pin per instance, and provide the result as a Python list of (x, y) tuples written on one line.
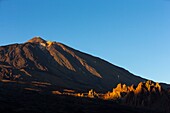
[(147, 88)]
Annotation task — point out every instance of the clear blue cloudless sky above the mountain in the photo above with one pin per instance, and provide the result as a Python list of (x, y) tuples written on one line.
[(133, 34)]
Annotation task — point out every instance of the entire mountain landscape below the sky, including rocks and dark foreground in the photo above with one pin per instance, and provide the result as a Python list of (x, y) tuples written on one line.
[(43, 76)]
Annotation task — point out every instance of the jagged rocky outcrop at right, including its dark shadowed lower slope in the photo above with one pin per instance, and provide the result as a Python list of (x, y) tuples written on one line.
[(147, 95)]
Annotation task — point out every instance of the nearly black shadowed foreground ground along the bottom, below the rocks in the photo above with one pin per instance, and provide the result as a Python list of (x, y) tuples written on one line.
[(24, 98)]
